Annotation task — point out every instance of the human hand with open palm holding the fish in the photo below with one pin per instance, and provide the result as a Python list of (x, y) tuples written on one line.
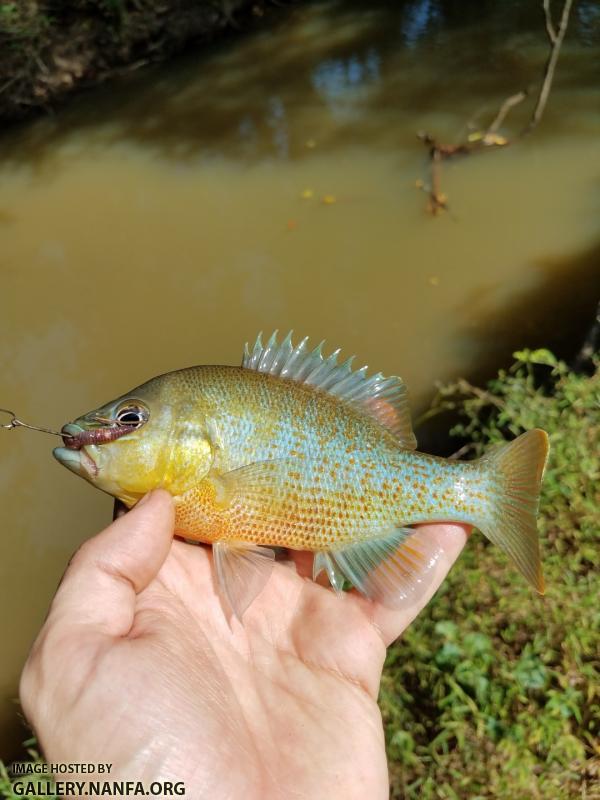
[(137, 665)]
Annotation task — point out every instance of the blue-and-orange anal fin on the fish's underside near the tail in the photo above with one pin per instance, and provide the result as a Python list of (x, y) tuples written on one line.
[(391, 568)]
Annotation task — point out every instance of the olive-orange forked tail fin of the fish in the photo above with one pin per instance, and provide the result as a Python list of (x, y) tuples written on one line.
[(517, 469)]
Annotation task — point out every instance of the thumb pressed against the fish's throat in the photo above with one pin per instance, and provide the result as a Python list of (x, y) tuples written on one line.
[(103, 578)]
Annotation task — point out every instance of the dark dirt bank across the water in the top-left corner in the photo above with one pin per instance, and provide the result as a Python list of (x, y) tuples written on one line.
[(49, 48)]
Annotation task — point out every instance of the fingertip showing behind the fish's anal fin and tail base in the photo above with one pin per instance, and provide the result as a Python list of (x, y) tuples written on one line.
[(450, 538)]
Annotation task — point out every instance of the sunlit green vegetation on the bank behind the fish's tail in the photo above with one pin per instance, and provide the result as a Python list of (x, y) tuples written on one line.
[(493, 691)]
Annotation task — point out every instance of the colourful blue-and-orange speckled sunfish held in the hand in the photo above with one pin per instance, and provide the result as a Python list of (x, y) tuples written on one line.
[(294, 449)]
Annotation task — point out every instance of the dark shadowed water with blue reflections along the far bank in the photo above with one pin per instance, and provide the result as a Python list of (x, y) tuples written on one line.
[(337, 73)]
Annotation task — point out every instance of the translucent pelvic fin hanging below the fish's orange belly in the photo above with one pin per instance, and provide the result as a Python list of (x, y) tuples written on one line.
[(242, 572)]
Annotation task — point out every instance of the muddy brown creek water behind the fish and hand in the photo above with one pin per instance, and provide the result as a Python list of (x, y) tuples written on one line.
[(269, 182)]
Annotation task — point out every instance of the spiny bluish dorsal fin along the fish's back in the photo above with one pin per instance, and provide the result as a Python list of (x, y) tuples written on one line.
[(384, 399)]
